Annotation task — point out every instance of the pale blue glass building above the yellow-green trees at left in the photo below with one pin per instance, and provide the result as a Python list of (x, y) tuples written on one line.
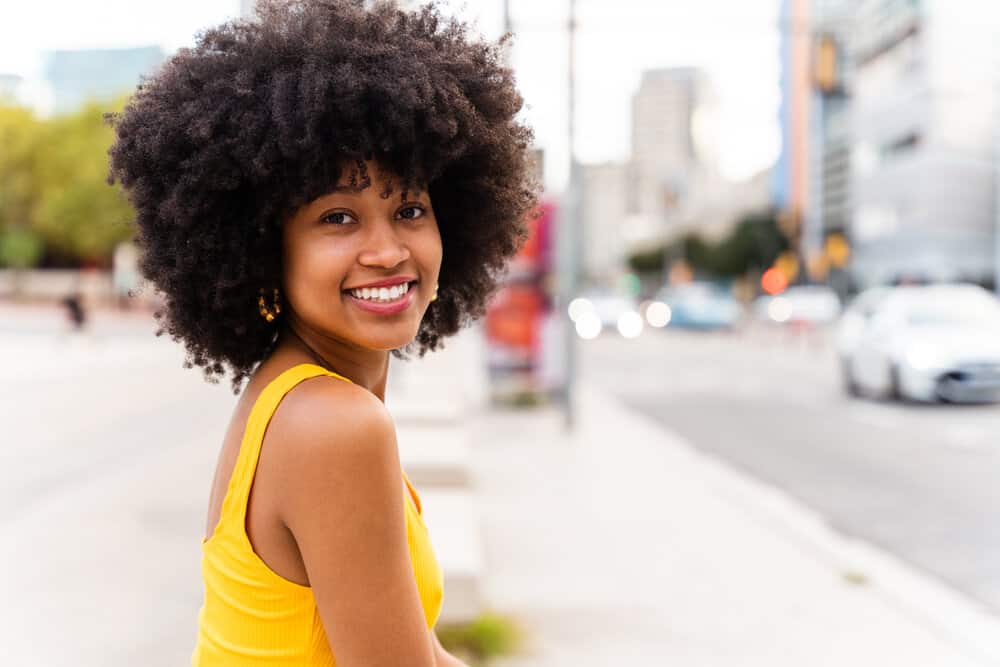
[(75, 76)]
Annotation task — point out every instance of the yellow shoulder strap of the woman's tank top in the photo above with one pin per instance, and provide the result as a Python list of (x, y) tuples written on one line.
[(234, 504)]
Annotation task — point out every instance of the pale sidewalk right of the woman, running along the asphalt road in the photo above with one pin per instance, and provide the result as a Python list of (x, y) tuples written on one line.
[(620, 544)]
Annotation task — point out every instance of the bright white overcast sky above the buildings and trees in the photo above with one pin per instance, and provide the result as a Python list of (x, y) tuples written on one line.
[(735, 41)]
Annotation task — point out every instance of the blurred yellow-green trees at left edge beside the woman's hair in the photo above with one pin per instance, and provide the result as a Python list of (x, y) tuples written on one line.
[(53, 187)]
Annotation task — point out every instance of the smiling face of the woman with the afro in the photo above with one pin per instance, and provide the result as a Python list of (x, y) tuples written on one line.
[(362, 268)]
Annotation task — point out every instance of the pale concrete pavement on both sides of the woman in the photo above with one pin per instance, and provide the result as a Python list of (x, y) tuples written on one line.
[(618, 544)]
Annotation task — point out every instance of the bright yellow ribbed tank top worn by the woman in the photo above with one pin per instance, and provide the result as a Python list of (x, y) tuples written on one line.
[(253, 616)]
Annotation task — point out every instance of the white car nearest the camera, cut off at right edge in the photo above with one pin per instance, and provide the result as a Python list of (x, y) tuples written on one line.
[(922, 343)]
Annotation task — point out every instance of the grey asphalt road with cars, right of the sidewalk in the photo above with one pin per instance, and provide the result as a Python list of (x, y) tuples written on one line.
[(922, 482)]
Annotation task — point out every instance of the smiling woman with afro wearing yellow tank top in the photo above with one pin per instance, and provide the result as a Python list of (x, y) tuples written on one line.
[(314, 190)]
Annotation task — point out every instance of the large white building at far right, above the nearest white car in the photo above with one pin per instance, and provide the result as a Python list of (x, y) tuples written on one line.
[(923, 125)]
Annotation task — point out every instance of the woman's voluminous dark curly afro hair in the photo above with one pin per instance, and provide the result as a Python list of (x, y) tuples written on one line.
[(219, 147)]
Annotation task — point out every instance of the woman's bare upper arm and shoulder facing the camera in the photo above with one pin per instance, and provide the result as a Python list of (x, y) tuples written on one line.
[(342, 501)]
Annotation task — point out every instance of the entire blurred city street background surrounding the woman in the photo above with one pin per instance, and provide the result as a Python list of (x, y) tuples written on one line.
[(736, 403)]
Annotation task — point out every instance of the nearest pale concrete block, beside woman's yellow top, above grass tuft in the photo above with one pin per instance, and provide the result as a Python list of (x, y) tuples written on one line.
[(452, 519)]
